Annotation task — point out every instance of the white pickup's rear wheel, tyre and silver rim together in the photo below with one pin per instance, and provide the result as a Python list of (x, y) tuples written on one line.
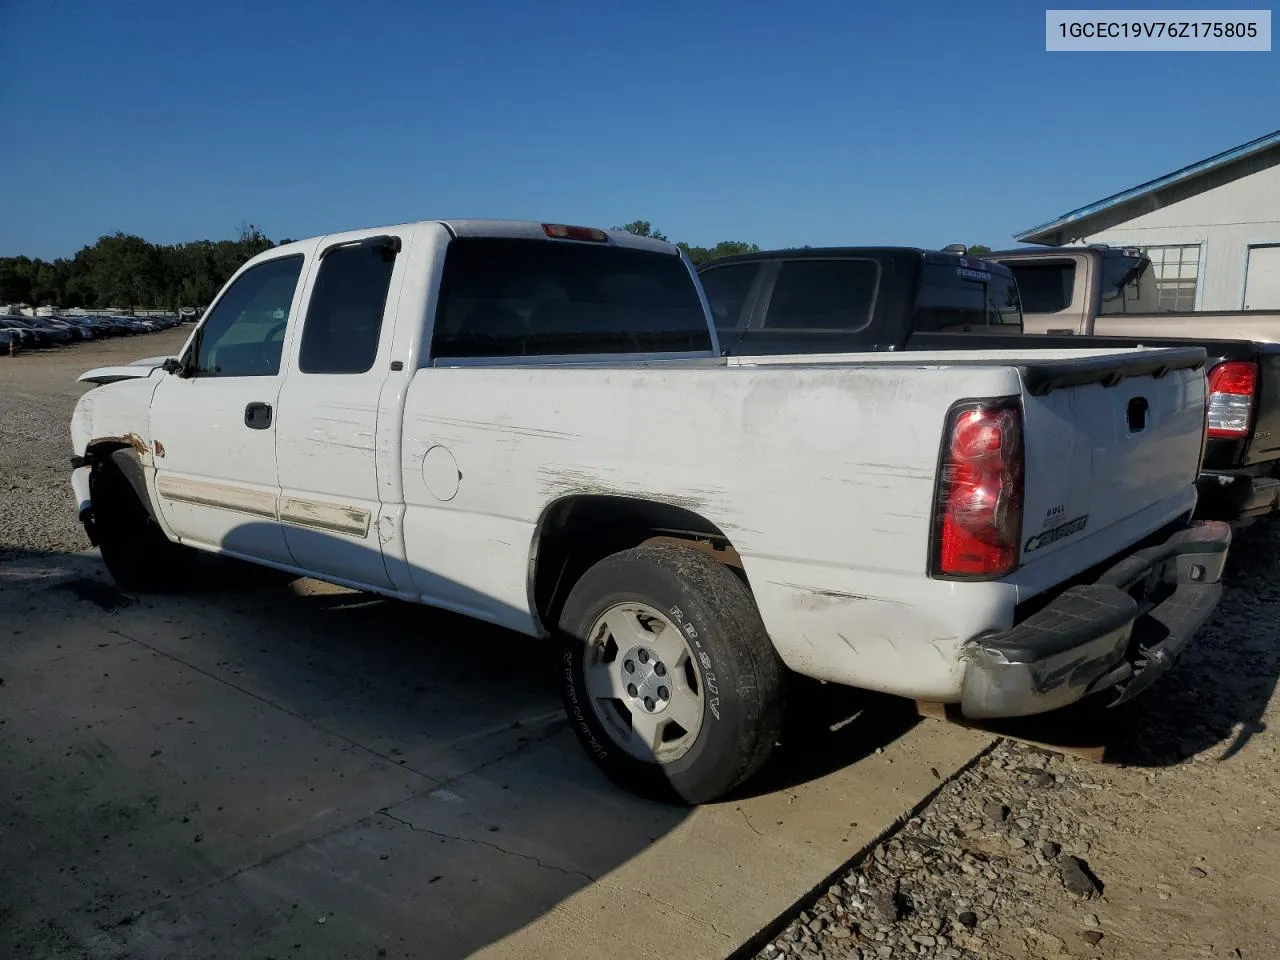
[(670, 679)]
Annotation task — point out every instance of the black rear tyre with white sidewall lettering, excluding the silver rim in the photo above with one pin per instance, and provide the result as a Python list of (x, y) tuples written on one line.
[(738, 671)]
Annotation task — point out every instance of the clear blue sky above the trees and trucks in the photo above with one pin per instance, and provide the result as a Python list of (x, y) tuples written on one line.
[(847, 122)]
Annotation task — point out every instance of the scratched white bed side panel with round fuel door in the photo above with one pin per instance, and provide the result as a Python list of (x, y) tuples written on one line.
[(488, 450)]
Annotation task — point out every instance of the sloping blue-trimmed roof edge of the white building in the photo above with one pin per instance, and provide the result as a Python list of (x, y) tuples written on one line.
[(1188, 181)]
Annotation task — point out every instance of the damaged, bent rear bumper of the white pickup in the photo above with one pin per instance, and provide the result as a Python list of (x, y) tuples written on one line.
[(1122, 632)]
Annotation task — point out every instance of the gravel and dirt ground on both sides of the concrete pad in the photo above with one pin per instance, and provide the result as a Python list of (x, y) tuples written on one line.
[(1168, 849)]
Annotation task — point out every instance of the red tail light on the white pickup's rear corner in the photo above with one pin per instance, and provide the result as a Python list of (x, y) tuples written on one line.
[(979, 515)]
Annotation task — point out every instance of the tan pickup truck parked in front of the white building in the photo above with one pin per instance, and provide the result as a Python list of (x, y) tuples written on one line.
[(1112, 292)]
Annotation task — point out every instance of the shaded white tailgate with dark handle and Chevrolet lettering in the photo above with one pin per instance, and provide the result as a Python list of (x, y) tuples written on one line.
[(1109, 450)]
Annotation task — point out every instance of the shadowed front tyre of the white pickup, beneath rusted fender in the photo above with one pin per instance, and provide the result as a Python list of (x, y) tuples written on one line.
[(135, 550)]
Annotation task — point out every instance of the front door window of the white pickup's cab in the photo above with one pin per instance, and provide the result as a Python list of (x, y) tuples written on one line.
[(244, 335)]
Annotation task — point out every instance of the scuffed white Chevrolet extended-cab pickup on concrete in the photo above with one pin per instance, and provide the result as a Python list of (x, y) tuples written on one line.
[(533, 424)]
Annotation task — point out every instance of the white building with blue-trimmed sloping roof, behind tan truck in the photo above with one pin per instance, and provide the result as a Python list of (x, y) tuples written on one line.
[(1213, 230)]
